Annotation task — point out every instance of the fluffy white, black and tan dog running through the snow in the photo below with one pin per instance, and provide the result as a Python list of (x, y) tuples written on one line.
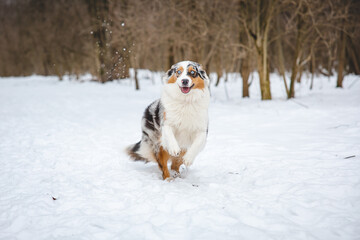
[(175, 127)]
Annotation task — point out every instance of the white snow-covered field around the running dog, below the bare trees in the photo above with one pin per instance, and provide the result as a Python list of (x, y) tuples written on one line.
[(271, 170)]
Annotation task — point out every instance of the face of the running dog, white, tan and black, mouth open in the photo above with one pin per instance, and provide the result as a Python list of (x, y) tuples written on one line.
[(188, 76)]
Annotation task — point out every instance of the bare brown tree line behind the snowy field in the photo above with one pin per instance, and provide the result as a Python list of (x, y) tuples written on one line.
[(106, 38)]
